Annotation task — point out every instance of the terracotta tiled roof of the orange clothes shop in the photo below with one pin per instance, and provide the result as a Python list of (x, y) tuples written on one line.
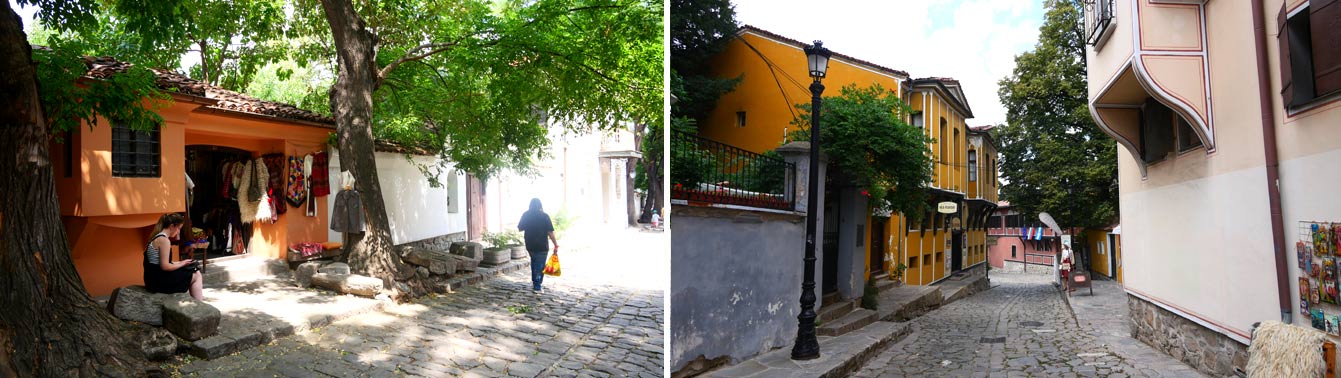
[(103, 68)]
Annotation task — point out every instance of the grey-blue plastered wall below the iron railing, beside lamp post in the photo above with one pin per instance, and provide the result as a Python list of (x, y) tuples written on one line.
[(736, 282)]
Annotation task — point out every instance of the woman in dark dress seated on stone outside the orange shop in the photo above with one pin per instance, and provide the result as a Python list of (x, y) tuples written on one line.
[(164, 277)]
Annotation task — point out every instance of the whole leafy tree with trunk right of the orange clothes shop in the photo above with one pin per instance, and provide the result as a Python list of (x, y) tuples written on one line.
[(485, 78)]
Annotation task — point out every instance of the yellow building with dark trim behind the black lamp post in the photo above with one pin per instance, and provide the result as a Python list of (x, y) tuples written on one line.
[(757, 116)]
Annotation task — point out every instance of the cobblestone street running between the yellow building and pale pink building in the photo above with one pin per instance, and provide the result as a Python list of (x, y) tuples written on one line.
[(1021, 328)]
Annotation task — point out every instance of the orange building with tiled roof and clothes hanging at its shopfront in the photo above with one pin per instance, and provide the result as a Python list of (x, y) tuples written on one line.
[(115, 183)]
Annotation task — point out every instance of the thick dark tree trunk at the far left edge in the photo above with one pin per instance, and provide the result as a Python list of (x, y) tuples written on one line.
[(49, 325)]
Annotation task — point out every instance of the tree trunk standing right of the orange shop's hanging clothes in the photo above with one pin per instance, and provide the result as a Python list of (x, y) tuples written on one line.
[(352, 105)]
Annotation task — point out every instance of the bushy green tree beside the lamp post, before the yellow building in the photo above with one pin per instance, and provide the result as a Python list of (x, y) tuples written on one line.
[(864, 135)]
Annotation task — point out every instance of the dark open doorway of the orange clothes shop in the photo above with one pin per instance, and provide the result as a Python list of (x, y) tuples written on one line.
[(213, 206)]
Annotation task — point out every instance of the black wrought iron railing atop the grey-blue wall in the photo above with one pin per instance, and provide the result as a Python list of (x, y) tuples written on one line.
[(705, 171)]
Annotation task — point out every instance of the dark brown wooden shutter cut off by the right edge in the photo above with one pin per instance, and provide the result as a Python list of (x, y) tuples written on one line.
[(1326, 29)]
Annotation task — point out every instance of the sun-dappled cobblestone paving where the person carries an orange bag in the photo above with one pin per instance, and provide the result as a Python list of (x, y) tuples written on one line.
[(495, 329)]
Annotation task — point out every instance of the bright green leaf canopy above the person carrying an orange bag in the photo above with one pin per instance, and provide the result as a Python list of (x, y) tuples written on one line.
[(491, 82)]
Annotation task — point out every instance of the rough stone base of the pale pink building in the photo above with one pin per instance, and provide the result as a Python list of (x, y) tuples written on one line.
[(1201, 348)]
